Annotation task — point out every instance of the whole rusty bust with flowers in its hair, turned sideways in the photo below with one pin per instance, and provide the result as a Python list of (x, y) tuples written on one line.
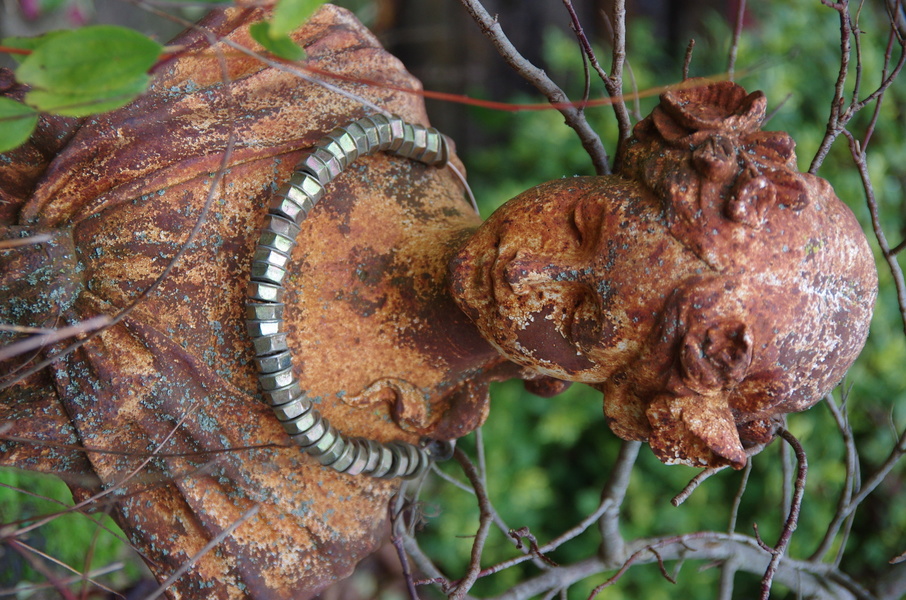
[(706, 289)]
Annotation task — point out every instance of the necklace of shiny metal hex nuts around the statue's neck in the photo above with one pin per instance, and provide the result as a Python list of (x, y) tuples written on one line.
[(290, 206)]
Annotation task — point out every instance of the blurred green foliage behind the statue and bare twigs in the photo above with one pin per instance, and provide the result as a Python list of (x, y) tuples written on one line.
[(549, 458)]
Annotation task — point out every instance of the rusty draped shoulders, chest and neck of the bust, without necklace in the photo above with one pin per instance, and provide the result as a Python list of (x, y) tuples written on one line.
[(367, 303)]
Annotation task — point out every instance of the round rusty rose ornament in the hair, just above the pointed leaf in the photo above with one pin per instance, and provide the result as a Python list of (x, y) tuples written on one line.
[(717, 358)]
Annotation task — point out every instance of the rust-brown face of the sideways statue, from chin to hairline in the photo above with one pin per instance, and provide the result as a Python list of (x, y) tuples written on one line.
[(565, 278)]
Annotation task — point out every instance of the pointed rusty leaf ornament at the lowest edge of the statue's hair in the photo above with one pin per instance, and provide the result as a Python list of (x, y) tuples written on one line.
[(695, 430)]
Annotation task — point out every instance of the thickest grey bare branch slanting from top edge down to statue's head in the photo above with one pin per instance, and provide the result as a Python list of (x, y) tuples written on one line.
[(574, 117)]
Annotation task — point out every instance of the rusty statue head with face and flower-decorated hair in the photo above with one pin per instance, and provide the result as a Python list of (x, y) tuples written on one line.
[(707, 289)]
